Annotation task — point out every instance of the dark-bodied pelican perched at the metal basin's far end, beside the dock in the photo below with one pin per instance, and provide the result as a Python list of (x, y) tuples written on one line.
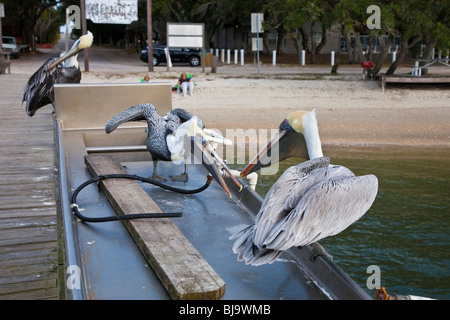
[(39, 90)]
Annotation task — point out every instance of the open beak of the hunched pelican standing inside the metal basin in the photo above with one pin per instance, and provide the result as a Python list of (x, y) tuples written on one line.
[(203, 150)]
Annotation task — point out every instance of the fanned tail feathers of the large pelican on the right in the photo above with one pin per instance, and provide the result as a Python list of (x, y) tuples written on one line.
[(248, 252)]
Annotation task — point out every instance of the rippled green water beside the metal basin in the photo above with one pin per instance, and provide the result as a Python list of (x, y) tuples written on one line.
[(406, 232)]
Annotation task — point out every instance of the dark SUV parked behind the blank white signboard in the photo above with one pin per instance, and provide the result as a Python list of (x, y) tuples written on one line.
[(191, 56)]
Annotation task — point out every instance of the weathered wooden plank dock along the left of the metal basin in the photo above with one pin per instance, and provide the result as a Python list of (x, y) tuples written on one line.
[(28, 221)]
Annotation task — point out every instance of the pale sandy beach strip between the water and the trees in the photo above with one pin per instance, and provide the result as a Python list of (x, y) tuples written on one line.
[(349, 111)]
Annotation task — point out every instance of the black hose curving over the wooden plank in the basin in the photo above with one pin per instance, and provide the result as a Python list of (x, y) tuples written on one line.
[(99, 178)]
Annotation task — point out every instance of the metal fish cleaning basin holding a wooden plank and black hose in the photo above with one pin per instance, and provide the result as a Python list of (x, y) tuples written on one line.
[(185, 257)]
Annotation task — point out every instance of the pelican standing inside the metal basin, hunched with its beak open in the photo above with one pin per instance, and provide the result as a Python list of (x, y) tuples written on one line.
[(162, 135)]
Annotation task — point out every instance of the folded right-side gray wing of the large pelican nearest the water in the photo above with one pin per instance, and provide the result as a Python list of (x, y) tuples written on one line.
[(325, 210)]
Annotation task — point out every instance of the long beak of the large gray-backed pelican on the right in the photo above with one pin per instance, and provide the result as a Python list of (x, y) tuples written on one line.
[(285, 143)]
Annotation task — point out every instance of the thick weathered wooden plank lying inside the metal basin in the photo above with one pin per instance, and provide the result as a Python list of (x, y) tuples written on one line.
[(183, 271)]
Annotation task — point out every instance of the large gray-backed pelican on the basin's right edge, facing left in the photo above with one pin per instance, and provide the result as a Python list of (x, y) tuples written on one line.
[(310, 201)]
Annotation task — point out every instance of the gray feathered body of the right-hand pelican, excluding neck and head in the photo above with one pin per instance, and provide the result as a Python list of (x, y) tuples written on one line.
[(308, 202)]
